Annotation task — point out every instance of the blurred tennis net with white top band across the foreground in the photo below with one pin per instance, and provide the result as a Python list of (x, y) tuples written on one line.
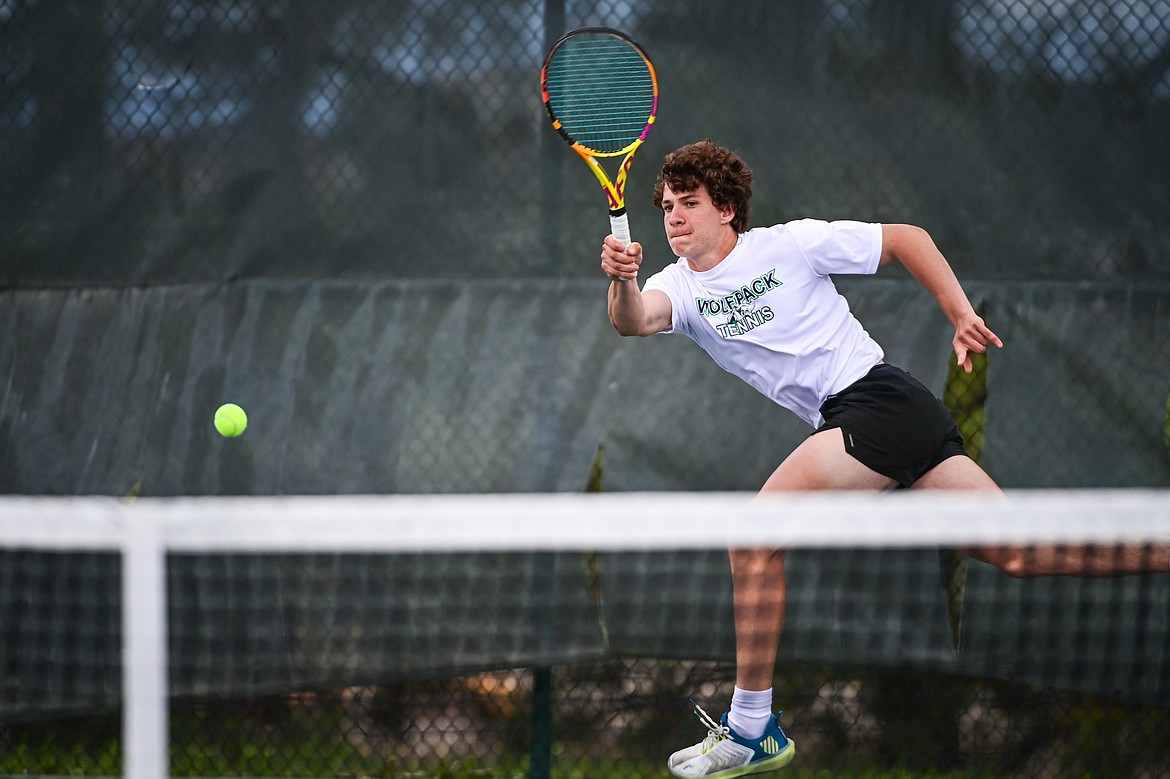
[(546, 635)]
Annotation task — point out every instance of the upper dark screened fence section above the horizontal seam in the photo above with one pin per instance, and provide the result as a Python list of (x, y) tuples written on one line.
[(209, 141)]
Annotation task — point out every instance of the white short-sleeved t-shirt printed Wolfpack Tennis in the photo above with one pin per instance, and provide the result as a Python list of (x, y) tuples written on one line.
[(769, 313)]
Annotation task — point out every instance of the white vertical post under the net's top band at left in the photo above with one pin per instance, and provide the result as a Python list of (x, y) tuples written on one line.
[(146, 716)]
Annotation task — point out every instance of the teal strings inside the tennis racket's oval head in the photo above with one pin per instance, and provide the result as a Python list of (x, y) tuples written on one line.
[(603, 94)]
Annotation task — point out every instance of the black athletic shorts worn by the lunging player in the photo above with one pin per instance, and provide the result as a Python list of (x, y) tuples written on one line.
[(893, 424)]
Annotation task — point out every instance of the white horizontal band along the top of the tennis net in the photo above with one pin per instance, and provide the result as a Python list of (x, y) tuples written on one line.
[(600, 522)]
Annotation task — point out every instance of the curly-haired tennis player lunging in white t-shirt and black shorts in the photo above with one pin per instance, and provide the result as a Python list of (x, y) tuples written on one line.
[(761, 302)]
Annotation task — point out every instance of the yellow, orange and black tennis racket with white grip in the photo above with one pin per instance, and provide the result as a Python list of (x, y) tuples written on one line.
[(601, 93)]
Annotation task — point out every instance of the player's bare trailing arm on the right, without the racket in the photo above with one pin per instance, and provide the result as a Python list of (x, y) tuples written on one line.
[(916, 250)]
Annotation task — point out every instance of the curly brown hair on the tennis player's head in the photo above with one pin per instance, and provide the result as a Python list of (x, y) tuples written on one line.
[(726, 176)]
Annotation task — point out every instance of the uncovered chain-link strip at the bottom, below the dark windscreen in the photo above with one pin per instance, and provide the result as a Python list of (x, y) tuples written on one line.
[(622, 720)]
